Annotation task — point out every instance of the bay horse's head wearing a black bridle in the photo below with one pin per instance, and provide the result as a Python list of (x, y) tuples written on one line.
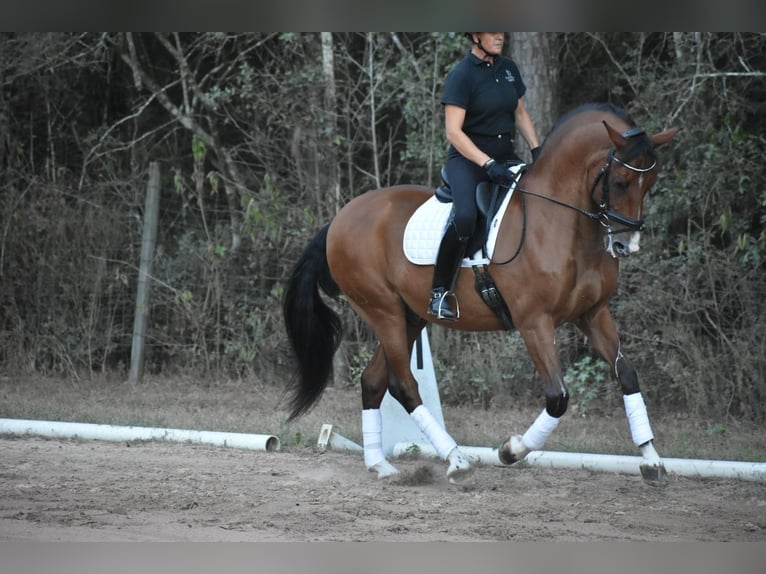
[(626, 177)]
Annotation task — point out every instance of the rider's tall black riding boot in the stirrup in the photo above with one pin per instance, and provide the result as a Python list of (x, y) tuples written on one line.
[(448, 260)]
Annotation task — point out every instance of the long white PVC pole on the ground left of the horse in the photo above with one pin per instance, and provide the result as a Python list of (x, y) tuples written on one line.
[(52, 429)]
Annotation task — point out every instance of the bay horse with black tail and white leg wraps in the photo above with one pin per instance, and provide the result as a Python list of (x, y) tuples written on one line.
[(575, 212)]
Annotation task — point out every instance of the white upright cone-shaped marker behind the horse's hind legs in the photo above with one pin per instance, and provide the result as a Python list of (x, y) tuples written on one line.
[(398, 426)]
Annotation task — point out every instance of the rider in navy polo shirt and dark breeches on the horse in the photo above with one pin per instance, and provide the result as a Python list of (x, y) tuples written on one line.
[(483, 108)]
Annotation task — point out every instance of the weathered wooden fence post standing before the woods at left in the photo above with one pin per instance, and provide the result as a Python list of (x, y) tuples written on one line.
[(148, 241)]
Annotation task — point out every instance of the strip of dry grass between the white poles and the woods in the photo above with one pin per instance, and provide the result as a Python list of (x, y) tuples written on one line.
[(257, 407)]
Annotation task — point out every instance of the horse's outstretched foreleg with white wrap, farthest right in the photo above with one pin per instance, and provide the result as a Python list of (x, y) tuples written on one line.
[(603, 335)]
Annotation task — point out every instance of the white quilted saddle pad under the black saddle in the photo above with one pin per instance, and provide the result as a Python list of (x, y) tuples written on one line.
[(425, 229)]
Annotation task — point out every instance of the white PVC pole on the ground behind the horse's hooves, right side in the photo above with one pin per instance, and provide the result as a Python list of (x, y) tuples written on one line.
[(754, 471)]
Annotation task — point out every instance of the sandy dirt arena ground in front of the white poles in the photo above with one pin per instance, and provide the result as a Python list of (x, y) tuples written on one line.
[(70, 490)]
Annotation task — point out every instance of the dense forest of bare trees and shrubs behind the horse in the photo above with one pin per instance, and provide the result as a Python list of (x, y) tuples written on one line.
[(262, 137)]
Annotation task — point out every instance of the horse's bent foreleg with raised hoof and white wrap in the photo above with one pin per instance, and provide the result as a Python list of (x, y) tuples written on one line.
[(541, 345)]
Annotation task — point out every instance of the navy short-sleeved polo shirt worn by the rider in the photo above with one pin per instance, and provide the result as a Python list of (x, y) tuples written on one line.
[(488, 93)]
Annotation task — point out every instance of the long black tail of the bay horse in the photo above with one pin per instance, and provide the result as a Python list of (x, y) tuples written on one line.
[(313, 328)]
